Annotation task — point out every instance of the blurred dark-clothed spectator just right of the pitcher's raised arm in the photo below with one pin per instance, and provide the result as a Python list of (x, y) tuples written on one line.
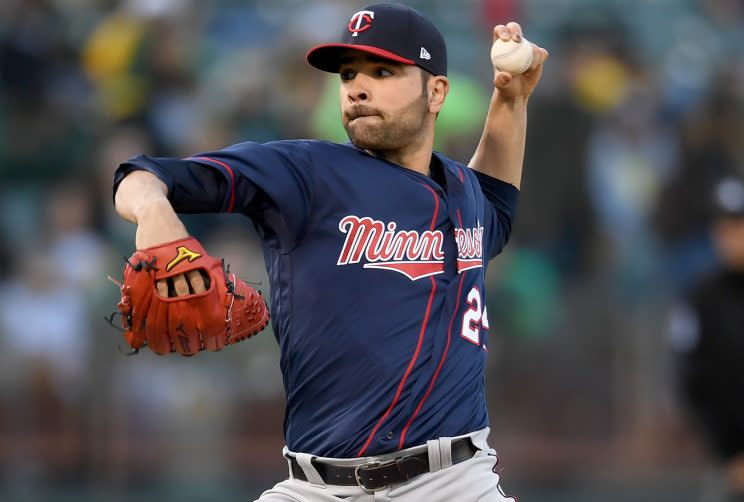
[(555, 217)]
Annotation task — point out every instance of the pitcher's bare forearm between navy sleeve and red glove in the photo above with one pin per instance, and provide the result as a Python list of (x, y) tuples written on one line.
[(142, 199)]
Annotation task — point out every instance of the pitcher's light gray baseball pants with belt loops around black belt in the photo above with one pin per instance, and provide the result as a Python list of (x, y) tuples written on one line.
[(473, 480)]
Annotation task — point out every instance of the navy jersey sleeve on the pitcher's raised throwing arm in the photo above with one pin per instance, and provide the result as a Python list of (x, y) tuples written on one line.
[(500, 206)]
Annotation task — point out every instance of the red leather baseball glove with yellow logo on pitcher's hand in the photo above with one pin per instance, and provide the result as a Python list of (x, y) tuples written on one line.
[(227, 312)]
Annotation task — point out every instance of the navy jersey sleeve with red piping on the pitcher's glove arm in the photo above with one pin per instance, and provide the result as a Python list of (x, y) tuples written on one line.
[(270, 183)]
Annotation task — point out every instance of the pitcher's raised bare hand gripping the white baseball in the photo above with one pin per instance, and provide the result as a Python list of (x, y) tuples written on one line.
[(513, 84)]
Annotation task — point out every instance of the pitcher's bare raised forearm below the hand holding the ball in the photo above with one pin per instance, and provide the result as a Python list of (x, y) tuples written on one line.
[(500, 152)]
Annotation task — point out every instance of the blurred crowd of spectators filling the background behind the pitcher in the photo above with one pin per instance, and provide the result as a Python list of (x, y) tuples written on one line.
[(638, 115)]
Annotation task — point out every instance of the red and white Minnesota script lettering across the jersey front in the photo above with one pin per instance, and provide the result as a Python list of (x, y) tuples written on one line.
[(410, 252)]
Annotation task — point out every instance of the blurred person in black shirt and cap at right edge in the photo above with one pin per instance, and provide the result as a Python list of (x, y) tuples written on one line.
[(707, 333)]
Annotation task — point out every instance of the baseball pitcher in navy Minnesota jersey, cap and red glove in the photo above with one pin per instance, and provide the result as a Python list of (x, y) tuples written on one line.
[(376, 252)]
